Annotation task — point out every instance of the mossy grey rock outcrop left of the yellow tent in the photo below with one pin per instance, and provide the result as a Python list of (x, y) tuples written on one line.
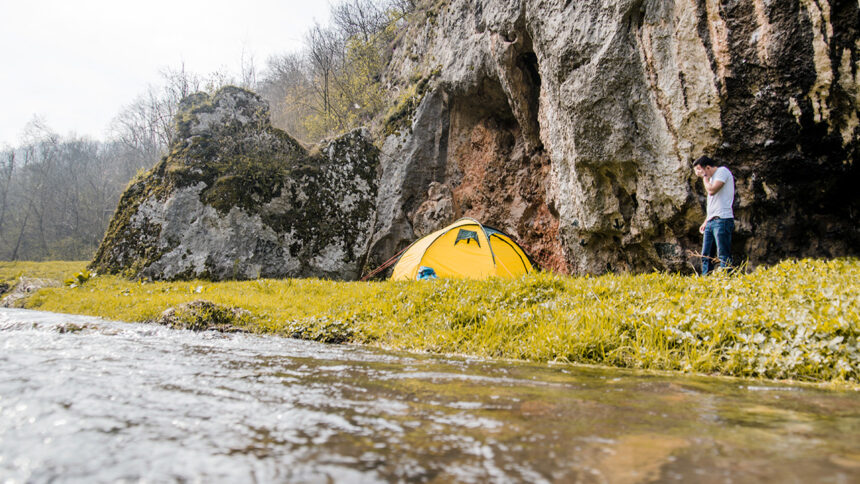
[(238, 199)]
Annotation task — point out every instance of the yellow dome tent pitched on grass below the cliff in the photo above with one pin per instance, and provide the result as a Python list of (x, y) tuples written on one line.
[(465, 249)]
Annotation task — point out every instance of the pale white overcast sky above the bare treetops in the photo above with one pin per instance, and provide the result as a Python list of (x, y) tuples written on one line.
[(76, 63)]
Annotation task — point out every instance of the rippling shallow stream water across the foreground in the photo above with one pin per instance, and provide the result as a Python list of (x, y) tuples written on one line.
[(88, 400)]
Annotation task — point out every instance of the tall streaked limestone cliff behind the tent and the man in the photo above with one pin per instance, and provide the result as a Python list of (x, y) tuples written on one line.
[(572, 125)]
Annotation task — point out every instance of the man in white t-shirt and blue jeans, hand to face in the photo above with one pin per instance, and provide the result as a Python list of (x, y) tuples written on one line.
[(720, 220)]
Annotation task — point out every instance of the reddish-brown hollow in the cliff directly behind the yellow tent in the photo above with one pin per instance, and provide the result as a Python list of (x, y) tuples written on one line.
[(495, 174)]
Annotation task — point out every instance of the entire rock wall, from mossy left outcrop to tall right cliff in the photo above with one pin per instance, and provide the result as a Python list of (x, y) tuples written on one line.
[(570, 125)]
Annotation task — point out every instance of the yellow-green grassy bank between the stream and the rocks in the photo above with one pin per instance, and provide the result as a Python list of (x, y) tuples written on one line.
[(797, 320)]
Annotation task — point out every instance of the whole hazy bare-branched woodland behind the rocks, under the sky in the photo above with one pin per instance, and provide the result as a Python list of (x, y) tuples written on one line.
[(57, 194)]
